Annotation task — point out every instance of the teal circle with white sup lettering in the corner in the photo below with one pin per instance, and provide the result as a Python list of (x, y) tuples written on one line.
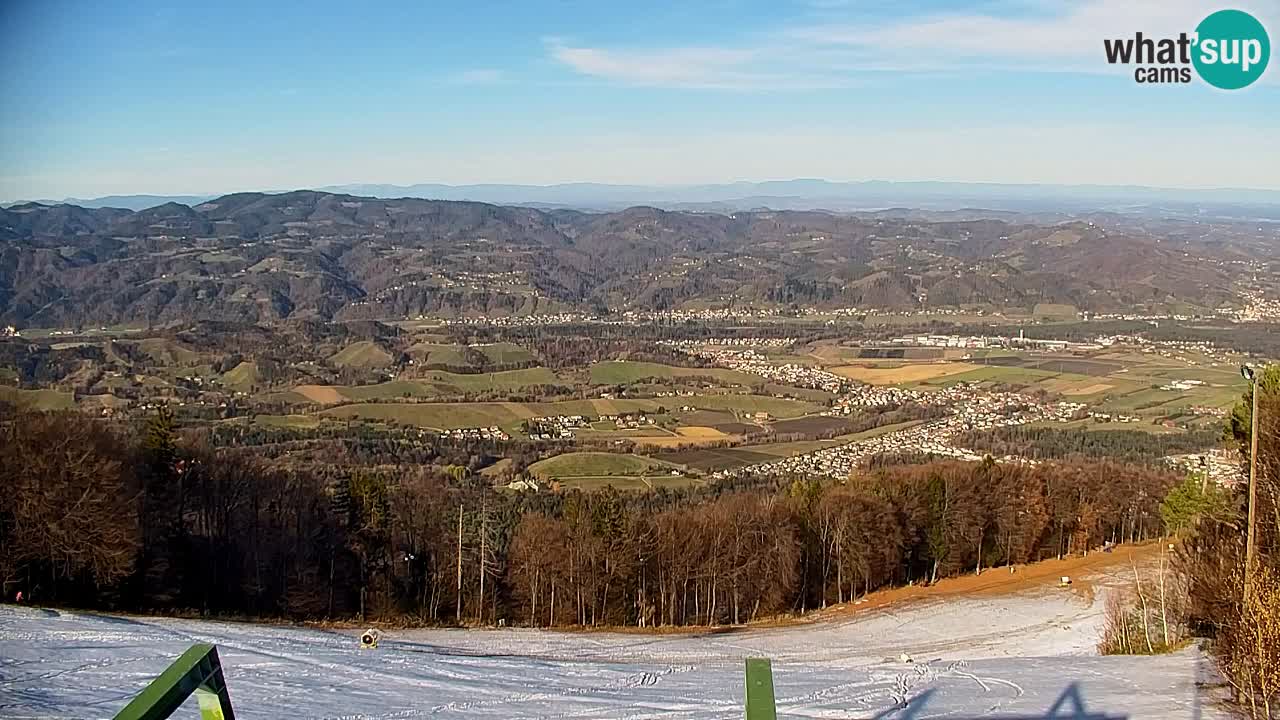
[(1232, 49)]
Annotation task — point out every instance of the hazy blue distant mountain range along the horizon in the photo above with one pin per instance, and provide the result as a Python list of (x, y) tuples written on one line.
[(806, 195)]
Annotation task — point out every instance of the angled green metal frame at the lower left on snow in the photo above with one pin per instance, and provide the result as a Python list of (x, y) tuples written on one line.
[(196, 672)]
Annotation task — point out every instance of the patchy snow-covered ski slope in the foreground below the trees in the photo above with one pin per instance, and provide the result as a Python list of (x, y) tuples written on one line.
[(1022, 657)]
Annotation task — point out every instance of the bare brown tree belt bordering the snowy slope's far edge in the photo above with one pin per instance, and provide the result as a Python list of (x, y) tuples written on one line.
[(147, 520)]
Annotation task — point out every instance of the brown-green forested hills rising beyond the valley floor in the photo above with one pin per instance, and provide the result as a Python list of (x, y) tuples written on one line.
[(339, 257)]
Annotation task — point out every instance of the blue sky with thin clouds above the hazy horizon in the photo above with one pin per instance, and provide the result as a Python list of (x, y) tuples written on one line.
[(131, 98)]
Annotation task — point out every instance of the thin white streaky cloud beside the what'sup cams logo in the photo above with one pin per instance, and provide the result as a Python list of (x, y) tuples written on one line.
[(1040, 37)]
